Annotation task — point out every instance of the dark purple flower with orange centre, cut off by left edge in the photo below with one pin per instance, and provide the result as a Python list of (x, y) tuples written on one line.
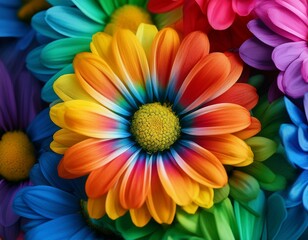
[(21, 142)]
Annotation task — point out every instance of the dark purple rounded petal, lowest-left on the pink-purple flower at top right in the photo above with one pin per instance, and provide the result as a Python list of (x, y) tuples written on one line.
[(257, 54)]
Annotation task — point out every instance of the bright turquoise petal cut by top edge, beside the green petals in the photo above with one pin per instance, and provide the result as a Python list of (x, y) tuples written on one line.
[(92, 10)]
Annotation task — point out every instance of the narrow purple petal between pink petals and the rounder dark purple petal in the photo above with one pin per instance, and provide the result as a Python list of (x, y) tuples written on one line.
[(264, 34)]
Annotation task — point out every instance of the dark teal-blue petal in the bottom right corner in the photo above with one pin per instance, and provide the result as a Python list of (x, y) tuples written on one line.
[(294, 225)]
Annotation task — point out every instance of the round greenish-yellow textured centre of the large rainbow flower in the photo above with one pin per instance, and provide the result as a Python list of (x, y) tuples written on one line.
[(155, 127)]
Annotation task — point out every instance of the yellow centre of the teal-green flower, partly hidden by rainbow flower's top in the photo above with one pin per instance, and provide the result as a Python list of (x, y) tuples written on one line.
[(128, 17)]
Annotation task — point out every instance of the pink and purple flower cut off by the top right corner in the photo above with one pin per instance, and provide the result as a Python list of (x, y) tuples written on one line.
[(280, 42)]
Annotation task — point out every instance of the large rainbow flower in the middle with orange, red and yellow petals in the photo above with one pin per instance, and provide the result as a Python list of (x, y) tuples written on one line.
[(152, 122)]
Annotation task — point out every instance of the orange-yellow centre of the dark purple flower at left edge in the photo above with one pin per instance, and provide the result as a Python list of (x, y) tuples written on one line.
[(17, 156)]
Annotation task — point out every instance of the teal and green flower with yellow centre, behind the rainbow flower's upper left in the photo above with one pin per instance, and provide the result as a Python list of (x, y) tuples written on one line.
[(67, 27)]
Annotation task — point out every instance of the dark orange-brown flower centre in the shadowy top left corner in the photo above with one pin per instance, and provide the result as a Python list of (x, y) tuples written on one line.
[(31, 7)]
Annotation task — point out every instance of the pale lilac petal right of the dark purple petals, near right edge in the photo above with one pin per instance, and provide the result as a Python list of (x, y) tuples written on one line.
[(286, 53)]
